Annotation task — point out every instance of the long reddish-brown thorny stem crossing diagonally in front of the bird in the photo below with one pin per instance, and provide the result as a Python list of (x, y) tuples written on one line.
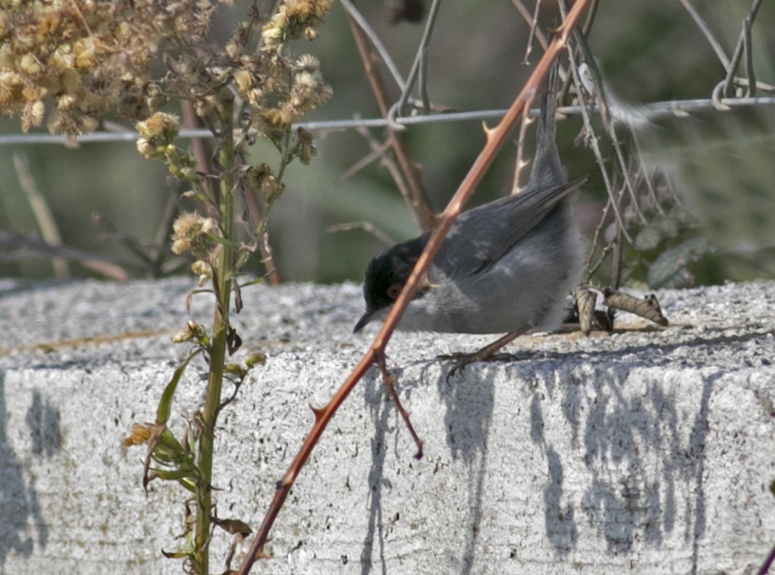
[(495, 139)]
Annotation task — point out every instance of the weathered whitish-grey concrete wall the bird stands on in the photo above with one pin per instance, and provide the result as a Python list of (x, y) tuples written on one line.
[(640, 452)]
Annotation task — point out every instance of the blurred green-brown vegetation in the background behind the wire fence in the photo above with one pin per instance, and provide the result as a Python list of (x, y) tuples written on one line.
[(722, 164)]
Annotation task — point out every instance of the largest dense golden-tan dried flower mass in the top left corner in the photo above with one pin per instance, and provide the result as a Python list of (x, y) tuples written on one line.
[(79, 59)]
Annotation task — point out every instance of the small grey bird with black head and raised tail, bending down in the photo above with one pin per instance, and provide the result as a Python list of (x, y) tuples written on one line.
[(504, 267)]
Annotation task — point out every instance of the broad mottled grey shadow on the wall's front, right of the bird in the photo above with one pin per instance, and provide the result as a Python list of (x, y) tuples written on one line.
[(615, 431)]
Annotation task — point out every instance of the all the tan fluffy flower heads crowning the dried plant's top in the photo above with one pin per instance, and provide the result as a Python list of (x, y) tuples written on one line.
[(78, 60)]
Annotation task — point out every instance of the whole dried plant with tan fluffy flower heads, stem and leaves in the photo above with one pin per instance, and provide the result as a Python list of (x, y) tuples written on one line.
[(71, 63)]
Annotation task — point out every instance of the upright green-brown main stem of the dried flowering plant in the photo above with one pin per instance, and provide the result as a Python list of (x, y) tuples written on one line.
[(224, 269)]
